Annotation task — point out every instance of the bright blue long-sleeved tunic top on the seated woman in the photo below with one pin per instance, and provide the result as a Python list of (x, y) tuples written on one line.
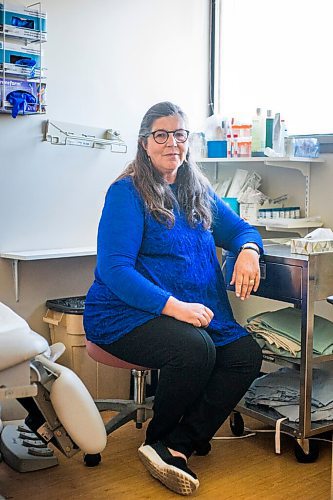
[(141, 263)]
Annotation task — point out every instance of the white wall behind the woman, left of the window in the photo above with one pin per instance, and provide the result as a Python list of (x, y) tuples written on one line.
[(108, 61)]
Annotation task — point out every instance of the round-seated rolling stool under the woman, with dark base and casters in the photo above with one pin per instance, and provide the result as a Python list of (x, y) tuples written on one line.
[(138, 409)]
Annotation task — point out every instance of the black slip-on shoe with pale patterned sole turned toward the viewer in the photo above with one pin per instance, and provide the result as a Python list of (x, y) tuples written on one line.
[(171, 471)]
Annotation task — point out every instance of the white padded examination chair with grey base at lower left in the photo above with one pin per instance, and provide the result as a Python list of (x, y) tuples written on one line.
[(60, 408)]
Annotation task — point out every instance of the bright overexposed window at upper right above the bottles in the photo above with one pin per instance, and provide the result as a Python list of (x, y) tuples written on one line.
[(276, 54)]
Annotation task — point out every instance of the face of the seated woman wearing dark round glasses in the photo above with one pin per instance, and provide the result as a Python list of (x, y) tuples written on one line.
[(167, 157)]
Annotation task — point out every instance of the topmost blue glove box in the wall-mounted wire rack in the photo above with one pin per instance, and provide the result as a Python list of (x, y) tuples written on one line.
[(23, 22)]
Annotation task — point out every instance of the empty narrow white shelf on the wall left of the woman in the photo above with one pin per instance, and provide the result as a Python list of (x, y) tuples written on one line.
[(56, 253)]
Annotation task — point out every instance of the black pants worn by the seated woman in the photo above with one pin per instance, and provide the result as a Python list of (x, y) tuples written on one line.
[(199, 384)]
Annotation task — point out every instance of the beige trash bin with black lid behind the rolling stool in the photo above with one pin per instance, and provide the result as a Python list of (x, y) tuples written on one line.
[(65, 319)]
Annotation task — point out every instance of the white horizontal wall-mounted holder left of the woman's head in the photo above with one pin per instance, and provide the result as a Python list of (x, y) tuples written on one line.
[(64, 134)]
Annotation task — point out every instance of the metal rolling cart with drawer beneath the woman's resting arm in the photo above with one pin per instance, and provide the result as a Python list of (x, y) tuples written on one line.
[(300, 280)]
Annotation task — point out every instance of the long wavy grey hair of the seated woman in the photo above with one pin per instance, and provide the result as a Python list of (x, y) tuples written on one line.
[(192, 186)]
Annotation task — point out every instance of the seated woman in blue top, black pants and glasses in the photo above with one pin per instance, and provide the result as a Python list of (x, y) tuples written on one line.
[(159, 299)]
